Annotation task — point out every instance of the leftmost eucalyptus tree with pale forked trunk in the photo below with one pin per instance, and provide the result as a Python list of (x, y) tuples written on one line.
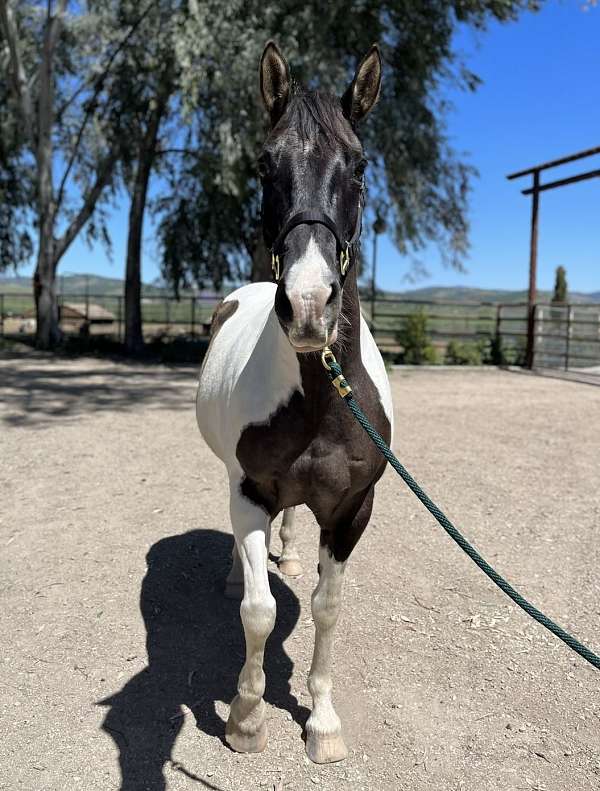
[(57, 59)]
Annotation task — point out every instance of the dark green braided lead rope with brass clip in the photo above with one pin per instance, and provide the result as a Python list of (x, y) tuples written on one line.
[(344, 389)]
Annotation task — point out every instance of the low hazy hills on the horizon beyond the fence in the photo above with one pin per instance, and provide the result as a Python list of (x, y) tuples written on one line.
[(95, 284)]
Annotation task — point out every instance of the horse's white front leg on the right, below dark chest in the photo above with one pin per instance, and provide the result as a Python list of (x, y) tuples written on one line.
[(324, 743)]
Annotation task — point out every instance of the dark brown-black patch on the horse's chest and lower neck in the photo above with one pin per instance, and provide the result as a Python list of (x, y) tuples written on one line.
[(313, 451)]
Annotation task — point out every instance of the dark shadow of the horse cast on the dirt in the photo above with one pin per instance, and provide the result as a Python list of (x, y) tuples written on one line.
[(195, 646)]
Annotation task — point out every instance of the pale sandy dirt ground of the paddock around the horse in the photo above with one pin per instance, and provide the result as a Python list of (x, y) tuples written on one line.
[(119, 653)]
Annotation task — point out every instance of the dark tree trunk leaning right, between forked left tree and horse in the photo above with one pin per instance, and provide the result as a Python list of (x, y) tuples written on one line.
[(134, 338)]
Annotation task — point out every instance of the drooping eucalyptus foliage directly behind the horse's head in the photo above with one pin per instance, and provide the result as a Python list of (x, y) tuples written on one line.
[(209, 220)]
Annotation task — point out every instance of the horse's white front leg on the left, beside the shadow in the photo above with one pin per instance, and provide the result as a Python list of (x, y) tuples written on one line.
[(246, 729)]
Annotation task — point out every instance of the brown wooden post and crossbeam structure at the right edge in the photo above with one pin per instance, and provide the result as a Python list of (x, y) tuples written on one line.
[(534, 190)]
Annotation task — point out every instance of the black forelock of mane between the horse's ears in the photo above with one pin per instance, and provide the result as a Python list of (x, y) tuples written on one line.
[(318, 116)]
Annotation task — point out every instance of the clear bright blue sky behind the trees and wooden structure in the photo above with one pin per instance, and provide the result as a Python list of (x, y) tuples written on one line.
[(539, 100)]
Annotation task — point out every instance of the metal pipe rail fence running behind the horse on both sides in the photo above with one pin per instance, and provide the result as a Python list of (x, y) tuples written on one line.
[(566, 336)]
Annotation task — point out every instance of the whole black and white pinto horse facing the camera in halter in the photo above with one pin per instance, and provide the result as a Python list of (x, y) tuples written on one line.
[(266, 407)]
